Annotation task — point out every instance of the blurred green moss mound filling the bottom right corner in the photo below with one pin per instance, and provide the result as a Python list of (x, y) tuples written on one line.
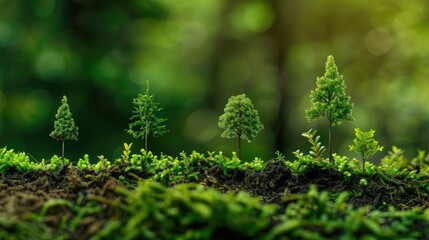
[(314, 216)]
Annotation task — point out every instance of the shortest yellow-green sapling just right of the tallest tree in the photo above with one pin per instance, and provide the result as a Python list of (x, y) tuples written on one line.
[(365, 145)]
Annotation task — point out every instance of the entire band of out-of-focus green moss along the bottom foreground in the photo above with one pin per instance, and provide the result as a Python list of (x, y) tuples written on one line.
[(190, 211)]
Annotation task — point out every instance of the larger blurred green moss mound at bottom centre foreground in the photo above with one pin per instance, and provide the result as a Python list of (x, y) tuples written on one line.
[(186, 211)]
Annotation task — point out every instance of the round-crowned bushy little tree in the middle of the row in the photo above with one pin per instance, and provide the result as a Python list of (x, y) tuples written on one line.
[(240, 120)]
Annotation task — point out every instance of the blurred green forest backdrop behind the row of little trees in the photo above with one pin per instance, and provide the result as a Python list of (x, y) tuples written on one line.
[(196, 54)]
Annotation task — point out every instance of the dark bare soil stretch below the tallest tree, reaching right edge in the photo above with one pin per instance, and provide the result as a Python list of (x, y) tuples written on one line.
[(276, 181)]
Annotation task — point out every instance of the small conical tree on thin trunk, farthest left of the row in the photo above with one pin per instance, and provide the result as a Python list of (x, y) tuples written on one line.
[(64, 126)]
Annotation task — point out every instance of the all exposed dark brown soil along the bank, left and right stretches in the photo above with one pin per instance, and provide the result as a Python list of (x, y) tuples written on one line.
[(22, 195)]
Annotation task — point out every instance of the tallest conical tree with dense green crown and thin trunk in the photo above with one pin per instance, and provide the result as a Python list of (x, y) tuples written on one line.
[(329, 100)]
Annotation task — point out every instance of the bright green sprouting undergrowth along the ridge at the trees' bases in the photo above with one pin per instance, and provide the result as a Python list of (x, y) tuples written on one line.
[(189, 167)]
